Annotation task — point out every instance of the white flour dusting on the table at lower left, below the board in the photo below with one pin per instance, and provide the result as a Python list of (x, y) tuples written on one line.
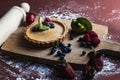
[(27, 70)]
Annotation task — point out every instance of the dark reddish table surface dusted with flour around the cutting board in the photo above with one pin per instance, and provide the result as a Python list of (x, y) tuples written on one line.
[(105, 12)]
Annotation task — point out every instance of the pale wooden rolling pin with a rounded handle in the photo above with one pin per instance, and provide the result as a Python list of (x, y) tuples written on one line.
[(11, 20)]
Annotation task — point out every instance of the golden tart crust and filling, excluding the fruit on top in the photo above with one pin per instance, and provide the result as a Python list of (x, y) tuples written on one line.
[(48, 37)]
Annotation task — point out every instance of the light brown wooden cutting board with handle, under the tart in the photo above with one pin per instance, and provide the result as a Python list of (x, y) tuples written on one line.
[(16, 45)]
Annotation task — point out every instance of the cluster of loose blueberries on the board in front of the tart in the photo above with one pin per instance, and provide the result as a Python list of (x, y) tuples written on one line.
[(62, 50)]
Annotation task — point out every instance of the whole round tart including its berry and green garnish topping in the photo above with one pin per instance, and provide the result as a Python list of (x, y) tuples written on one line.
[(46, 32)]
